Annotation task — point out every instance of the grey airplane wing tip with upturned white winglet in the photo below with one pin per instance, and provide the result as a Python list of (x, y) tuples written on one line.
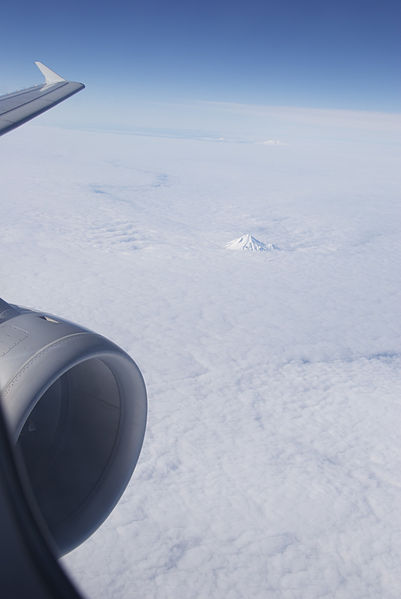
[(19, 107)]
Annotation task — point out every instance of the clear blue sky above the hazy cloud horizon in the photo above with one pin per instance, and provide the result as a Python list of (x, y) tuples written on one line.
[(342, 54)]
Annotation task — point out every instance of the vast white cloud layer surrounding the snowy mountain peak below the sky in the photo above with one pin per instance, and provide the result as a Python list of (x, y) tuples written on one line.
[(271, 462)]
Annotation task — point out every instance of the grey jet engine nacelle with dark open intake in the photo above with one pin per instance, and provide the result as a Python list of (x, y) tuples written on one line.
[(76, 407)]
